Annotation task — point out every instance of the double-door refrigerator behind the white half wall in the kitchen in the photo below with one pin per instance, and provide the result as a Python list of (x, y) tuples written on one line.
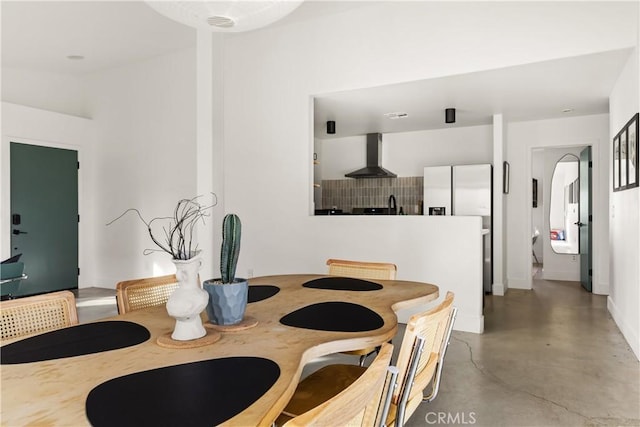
[(463, 190)]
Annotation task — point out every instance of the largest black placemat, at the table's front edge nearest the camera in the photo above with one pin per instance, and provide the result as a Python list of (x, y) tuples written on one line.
[(203, 393)]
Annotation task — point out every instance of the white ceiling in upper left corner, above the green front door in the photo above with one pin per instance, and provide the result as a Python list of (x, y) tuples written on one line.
[(39, 35)]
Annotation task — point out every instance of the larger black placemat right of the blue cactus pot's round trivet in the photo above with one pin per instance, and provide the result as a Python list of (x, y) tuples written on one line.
[(334, 316)]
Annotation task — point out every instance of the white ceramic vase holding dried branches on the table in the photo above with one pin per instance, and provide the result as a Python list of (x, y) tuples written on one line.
[(187, 302)]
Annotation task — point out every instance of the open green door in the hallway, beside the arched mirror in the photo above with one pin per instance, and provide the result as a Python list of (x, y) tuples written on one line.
[(585, 218)]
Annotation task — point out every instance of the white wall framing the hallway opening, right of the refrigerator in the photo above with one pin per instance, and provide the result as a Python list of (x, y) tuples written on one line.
[(569, 132)]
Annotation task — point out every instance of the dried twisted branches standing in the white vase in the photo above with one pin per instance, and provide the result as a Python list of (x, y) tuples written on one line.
[(175, 234)]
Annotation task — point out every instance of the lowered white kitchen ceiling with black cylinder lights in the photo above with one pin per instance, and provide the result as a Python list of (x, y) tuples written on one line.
[(543, 90)]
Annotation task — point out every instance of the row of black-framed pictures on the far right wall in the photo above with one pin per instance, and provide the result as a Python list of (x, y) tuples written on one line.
[(625, 156)]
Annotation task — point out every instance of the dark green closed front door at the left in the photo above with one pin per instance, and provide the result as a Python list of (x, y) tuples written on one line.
[(44, 216)]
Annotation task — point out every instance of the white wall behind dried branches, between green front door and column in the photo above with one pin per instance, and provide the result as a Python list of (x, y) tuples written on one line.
[(145, 118)]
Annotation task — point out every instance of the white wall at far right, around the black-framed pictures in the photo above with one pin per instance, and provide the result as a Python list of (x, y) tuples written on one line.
[(624, 296)]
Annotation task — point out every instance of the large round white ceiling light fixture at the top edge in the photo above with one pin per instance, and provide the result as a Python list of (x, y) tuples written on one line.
[(226, 16)]
